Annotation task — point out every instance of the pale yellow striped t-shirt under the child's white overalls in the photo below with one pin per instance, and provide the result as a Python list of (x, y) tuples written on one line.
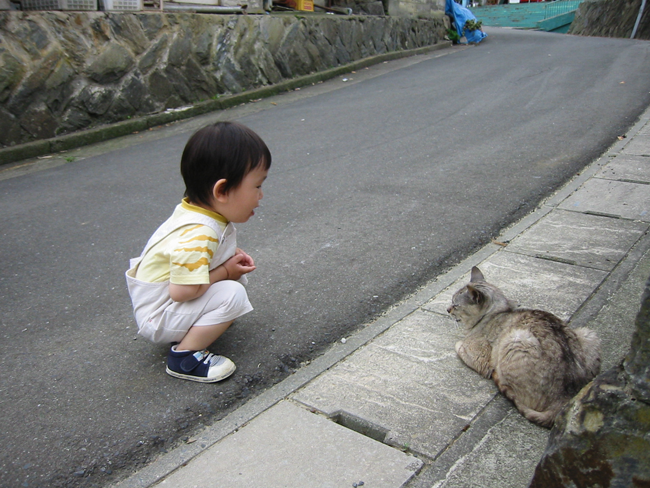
[(183, 257)]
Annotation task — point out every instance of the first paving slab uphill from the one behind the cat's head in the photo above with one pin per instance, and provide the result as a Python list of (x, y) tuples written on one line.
[(586, 240)]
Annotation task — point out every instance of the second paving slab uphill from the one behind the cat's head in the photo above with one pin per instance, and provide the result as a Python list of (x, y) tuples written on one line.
[(618, 198)]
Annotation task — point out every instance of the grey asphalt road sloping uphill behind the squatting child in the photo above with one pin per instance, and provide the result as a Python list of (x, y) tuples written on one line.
[(378, 184)]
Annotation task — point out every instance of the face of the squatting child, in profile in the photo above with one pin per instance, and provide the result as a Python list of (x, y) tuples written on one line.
[(239, 204)]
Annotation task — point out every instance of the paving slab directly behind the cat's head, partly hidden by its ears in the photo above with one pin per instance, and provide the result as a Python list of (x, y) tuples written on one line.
[(556, 287)]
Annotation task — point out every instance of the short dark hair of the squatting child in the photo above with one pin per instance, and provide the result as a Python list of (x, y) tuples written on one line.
[(225, 150)]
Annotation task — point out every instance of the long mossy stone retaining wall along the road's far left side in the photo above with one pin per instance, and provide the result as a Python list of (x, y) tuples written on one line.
[(62, 72)]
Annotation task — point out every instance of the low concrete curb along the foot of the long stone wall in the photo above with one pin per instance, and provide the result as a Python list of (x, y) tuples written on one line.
[(126, 127)]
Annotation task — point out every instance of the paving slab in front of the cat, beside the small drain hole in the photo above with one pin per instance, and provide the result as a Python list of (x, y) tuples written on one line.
[(408, 382)]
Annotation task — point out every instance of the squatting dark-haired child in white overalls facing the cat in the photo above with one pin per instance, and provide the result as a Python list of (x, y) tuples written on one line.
[(187, 286)]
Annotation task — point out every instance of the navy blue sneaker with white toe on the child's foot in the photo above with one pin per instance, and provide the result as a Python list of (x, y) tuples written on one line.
[(201, 366)]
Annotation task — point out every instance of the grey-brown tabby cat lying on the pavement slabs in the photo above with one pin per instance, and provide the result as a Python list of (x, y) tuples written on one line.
[(535, 360)]
